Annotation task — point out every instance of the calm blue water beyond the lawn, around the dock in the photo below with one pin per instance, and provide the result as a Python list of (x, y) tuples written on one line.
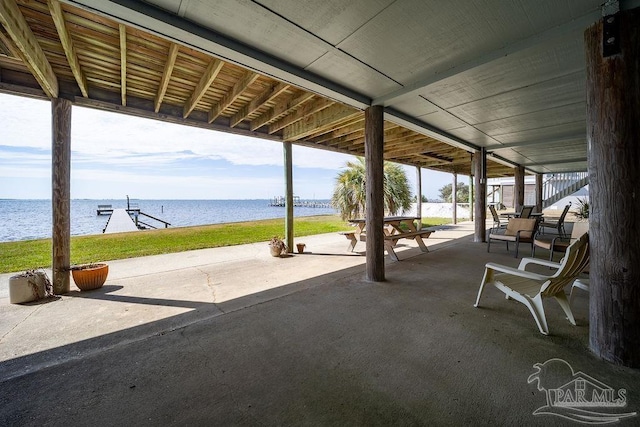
[(31, 219)]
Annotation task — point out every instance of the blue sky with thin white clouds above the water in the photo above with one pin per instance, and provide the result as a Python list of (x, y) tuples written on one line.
[(113, 155)]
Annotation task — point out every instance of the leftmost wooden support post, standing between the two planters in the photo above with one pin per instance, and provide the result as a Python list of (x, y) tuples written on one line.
[(61, 193)]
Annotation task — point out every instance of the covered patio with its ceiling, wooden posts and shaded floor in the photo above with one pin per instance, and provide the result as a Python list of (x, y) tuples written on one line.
[(508, 89)]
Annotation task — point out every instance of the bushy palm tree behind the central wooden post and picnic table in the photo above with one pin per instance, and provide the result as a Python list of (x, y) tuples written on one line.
[(349, 195)]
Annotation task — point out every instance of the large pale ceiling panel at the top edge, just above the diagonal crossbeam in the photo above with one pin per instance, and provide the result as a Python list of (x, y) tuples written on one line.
[(418, 36)]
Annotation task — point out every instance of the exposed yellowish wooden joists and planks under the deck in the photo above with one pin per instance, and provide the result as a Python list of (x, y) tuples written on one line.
[(99, 57)]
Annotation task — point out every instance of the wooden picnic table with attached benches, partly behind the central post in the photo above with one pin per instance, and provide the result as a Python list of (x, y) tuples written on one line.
[(395, 229)]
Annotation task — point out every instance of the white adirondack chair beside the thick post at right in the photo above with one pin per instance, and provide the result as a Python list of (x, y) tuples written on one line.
[(530, 288)]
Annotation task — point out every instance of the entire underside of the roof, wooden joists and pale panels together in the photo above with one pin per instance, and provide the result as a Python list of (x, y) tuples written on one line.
[(453, 76)]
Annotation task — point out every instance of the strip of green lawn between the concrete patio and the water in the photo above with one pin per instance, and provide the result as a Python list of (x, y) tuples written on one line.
[(29, 254)]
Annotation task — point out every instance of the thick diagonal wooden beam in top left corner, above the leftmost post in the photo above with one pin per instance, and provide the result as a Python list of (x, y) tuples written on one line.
[(28, 48)]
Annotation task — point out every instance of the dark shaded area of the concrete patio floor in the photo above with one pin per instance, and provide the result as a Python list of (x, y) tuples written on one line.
[(331, 350)]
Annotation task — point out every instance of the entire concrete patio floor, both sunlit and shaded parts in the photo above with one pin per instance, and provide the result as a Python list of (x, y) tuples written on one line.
[(232, 336)]
